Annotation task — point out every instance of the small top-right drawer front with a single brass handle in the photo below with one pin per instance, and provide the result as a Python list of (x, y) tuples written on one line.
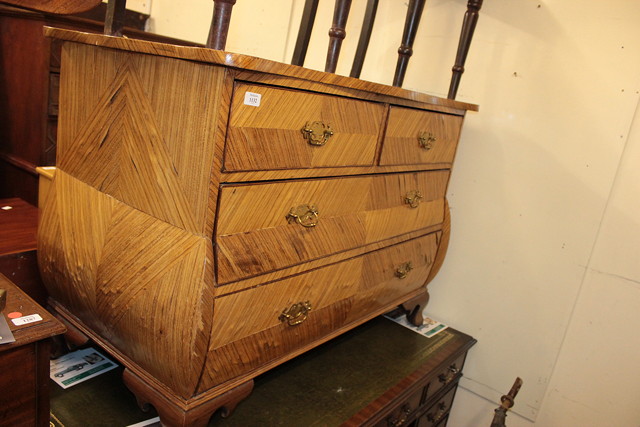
[(420, 137)]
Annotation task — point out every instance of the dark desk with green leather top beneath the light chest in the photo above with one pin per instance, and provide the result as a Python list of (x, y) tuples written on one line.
[(379, 374)]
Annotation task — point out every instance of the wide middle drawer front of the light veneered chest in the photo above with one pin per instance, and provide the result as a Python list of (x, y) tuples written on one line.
[(256, 234)]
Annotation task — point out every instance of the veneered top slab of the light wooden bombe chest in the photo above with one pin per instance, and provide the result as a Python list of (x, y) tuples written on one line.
[(251, 63)]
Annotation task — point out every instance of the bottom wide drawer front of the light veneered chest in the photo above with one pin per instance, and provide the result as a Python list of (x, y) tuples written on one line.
[(251, 329)]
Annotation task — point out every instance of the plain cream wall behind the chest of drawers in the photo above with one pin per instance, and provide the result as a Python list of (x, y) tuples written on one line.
[(543, 263)]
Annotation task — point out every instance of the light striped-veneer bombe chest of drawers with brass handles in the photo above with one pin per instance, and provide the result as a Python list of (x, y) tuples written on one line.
[(214, 215)]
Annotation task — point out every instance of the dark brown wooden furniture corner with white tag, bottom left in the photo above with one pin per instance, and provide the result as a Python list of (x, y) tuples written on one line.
[(24, 364)]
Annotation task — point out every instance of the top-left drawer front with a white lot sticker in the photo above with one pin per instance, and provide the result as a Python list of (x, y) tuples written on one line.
[(270, 135)]
